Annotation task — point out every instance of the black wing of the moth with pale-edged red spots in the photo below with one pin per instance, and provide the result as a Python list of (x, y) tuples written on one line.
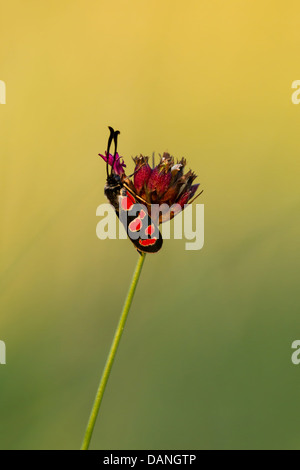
[(139, 226)]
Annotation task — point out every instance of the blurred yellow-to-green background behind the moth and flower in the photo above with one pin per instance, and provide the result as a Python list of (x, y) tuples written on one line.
[(205, 361)]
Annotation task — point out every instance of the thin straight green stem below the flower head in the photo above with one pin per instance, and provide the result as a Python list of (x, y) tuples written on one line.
[(112, 354)]
